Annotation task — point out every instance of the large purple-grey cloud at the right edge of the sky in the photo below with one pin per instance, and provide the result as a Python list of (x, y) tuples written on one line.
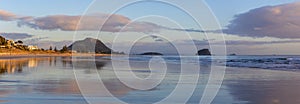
[(281, 21)]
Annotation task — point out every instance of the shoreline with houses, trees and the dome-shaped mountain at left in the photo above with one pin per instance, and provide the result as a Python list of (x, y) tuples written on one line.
[(86, 47)]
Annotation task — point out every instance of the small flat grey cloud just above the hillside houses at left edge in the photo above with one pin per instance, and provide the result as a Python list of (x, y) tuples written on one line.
[(16, 36)]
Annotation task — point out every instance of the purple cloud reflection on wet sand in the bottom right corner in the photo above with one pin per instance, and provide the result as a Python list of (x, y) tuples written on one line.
[(265, 87)]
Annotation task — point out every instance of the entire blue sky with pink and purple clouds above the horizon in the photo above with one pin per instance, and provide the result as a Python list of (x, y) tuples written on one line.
[(248, 27)]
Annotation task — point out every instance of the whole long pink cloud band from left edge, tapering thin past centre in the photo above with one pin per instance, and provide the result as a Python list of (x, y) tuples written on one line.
[(90, 22)]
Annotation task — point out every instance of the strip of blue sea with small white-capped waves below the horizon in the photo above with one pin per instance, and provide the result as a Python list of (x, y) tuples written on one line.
[(264, 62)]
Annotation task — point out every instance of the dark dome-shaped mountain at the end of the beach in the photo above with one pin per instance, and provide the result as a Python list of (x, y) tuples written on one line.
[(90, 45)]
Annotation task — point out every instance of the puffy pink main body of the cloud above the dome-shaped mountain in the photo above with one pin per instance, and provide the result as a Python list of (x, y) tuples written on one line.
[(70, 23)]
